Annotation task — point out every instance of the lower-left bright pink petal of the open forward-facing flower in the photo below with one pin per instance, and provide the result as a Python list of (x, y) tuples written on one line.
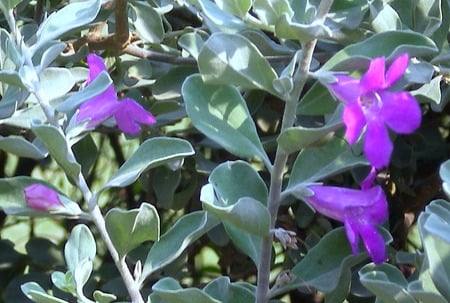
[(354, 121)]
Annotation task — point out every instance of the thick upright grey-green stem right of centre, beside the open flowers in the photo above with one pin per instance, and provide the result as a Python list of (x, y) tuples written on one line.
[(281, 157)]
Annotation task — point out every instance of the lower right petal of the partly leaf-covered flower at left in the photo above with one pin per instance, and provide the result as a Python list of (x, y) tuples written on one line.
[(129, 114)]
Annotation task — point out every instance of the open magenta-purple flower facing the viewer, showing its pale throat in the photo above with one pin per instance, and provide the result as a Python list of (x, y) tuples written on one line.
[(368, 102)]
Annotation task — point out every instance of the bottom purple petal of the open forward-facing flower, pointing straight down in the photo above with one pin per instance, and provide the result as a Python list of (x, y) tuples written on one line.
[(377, 144)]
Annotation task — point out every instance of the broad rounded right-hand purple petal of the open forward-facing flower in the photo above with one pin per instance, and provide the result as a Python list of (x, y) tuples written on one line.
[(401, 111)]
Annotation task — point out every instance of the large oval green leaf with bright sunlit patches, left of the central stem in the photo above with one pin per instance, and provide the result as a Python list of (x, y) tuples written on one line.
[(220, 112)]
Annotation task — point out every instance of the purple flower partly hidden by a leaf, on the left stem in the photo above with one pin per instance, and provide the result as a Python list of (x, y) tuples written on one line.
[(127, 113)]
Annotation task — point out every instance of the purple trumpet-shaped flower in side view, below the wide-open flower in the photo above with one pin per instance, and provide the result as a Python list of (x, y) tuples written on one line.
[(360, 210)]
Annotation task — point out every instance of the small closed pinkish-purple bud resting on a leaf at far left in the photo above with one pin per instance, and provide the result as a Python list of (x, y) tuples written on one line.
[(41, 198)]
